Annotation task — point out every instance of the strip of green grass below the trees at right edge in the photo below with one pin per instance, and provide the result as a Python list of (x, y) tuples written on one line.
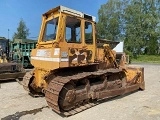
[(147, 59)]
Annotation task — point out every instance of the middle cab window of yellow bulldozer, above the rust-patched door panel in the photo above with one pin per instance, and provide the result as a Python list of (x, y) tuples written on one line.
[(73, 30)]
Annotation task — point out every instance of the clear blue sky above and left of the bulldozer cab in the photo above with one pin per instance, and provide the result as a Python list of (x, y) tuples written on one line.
[(12, 11)]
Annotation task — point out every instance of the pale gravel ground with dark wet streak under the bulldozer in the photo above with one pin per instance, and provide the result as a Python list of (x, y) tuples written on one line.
[(15, 103)]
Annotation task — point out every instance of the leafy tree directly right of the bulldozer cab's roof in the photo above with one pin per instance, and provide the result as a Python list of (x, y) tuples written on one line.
[(108, 24)]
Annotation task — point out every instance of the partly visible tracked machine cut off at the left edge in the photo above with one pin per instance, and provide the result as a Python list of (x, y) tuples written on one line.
[(8, 69)]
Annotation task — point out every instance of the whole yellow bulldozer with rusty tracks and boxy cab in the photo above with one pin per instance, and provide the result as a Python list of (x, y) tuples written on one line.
[(72, 69)]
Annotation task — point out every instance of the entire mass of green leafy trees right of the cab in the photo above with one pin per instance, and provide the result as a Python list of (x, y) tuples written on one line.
[(137, 22)]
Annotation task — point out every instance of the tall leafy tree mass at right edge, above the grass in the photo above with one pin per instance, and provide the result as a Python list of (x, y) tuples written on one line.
[(142, 29)]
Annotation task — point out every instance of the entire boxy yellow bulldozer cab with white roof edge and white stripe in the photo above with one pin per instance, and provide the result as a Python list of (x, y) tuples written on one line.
[(67, 38)]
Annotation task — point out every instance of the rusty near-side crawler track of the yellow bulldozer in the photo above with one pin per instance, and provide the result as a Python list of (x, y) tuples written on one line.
[(65, 97)]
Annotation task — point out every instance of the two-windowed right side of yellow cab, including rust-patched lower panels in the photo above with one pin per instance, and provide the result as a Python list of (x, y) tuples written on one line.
[(79, 42)]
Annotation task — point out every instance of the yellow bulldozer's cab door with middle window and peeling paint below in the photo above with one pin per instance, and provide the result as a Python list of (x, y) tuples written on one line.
[(73, 43)]
